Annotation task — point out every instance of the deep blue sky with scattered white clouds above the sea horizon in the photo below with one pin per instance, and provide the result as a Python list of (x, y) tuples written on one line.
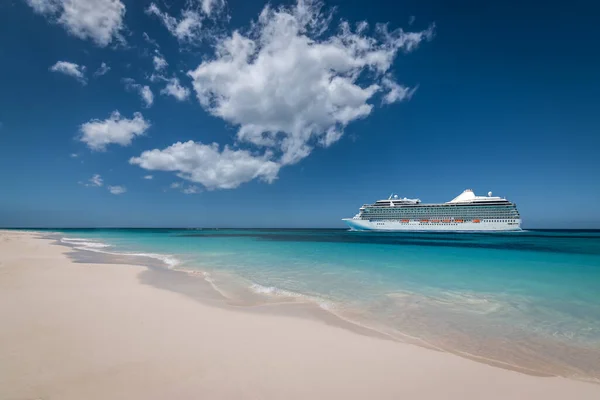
[(294, 115)]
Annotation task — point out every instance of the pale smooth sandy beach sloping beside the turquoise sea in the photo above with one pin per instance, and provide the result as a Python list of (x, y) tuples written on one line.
[(97, 331)]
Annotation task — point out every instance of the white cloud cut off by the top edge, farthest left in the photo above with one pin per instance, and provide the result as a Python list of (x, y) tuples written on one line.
[(98, 20)]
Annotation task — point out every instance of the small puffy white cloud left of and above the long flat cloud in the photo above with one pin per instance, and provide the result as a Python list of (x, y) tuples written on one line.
[(97, 134)]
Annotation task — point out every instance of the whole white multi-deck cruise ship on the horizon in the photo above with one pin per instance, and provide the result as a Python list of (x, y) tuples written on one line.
[(466, 212)]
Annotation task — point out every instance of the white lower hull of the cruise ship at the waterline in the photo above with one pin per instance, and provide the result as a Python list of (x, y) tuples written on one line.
[(418, 226)]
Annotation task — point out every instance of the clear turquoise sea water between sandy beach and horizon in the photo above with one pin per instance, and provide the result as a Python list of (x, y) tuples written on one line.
[(527, 300)]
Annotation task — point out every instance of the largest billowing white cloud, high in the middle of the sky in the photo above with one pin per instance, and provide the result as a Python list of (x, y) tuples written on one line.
[(289, 86)]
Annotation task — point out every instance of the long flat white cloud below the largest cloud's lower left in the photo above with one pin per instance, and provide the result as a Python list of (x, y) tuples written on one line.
[(208, 165)]
